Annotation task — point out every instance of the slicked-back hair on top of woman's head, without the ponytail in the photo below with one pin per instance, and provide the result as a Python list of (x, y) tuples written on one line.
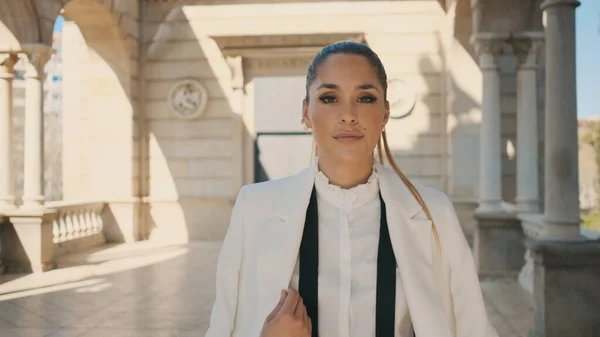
[(347, 48)]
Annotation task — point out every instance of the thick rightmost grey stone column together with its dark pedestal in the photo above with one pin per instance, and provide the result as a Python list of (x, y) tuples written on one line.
[(566, 266)]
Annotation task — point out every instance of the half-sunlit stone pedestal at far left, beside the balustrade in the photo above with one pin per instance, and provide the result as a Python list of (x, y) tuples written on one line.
[(27, 241)]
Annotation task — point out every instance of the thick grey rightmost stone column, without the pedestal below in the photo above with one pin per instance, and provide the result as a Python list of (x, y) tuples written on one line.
[(561, 215)]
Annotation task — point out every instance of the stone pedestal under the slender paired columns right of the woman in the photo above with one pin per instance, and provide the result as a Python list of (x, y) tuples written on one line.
[(499, 247)]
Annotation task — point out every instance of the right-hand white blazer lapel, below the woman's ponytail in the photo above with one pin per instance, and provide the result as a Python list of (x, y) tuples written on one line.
[(412, 241)]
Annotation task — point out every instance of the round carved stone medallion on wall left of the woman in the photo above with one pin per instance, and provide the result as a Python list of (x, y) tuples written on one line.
[(188, 99)]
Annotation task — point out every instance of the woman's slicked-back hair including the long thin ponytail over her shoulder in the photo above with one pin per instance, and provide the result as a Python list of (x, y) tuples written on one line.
[(355, 48)]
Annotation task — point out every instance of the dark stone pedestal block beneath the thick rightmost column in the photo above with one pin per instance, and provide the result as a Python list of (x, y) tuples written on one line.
[(566, 288)]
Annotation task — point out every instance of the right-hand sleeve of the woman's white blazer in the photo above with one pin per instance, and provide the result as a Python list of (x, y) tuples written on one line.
[(469, 308)]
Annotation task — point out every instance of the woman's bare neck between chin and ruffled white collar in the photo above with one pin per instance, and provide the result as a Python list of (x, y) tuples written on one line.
[(346, 175)]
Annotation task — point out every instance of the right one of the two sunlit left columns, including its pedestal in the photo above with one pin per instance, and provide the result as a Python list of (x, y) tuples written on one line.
[(27, 240)]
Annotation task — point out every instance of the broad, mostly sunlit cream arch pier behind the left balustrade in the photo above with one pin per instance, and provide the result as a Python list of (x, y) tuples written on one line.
[(99, 108)]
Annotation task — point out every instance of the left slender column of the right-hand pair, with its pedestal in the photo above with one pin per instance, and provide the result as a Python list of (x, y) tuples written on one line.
[(498, 240)]
